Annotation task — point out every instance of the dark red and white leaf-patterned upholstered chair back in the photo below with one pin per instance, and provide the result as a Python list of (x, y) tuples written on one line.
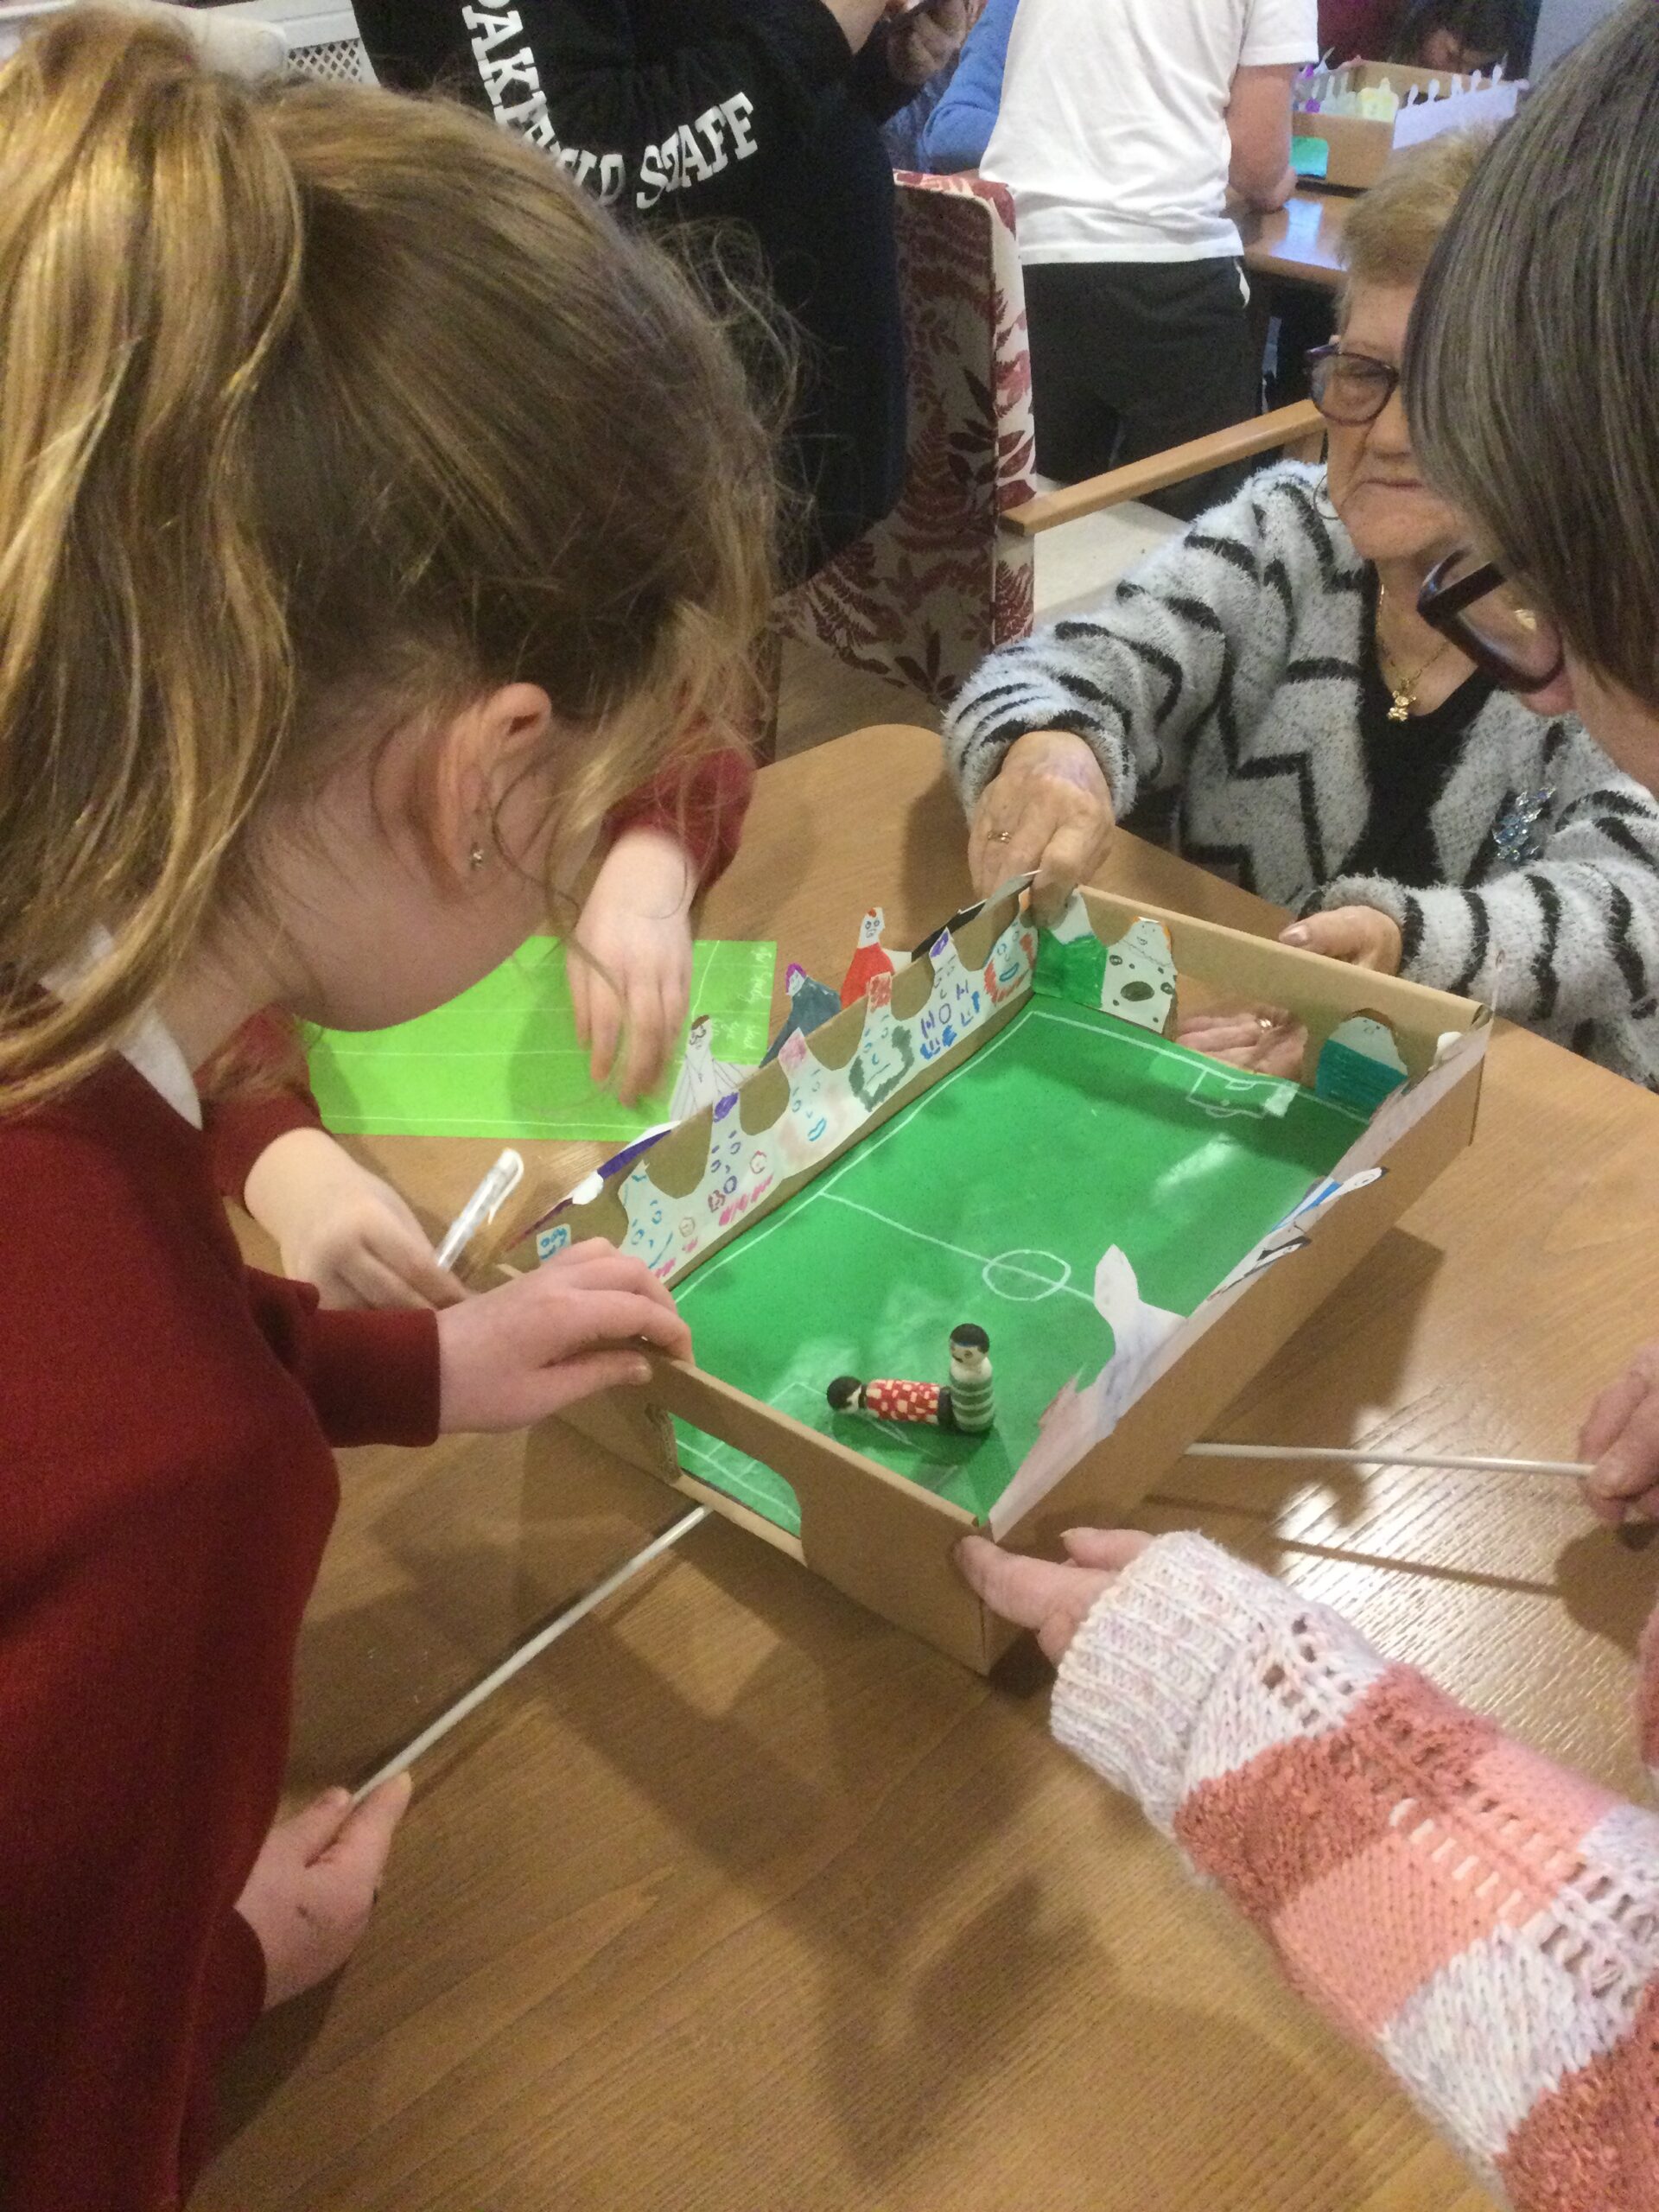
[(930, 592)]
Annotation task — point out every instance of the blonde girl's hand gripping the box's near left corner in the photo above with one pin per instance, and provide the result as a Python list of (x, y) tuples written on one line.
[(561, 1333)]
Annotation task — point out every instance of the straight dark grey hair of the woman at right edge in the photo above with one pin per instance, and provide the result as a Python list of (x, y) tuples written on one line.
[(1532, 373)]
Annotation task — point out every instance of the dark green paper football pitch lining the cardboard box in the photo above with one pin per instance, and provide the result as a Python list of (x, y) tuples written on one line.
[(994, 1200)]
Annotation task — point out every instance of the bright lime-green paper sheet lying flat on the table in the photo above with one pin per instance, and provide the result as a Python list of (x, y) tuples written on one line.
[(503, 1061)]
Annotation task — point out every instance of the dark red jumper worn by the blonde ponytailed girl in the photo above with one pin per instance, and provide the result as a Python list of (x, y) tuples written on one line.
[(167, 1488)]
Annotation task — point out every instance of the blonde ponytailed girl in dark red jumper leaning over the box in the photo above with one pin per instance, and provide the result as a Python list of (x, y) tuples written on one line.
[(373, 519)]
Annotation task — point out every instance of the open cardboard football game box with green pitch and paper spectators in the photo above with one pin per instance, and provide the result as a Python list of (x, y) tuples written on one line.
[(1005, 1134)]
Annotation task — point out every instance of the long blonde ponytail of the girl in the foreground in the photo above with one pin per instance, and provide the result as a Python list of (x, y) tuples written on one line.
[(149, 267)]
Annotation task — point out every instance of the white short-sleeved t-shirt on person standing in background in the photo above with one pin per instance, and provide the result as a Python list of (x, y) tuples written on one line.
[(1114, 127)]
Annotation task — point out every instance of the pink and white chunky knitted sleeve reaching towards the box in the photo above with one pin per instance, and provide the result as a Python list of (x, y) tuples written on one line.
[(1488, 1921)]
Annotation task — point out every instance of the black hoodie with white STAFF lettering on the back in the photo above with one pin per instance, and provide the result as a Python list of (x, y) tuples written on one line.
[(689, 109)]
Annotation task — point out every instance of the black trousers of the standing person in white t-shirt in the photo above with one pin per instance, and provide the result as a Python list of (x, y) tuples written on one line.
[(1134, 357)]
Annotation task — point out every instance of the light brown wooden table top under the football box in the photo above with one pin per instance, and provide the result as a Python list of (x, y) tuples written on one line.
[(742, 1901)]
